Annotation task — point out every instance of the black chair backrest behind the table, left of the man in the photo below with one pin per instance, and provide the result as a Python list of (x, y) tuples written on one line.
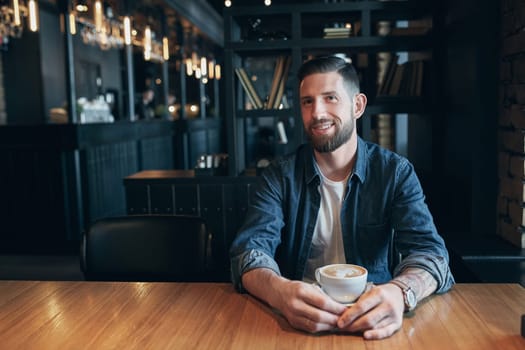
[(146, 248)]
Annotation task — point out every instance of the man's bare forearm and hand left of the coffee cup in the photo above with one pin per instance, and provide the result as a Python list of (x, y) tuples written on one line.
[(304, 305)]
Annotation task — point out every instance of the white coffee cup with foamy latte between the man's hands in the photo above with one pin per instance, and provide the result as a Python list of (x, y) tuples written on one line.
[(342, 282)]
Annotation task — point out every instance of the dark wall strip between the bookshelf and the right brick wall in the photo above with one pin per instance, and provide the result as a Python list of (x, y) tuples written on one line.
[(468, 126)]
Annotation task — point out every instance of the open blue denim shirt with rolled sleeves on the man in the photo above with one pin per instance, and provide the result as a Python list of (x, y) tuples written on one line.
[(383, 215)]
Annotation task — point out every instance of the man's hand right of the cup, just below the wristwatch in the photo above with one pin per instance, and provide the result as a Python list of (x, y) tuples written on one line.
[(378, 313)]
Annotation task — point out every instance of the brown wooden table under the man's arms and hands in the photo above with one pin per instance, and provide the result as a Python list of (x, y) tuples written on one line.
[(103, 315)]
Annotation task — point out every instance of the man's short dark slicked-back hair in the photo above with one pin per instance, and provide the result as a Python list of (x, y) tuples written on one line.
[(327, 64)]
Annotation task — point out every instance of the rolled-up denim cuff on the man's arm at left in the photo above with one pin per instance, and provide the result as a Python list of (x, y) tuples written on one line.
[(250, 260)]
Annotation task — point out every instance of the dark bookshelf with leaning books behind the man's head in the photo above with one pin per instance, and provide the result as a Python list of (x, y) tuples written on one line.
[(385, 40)]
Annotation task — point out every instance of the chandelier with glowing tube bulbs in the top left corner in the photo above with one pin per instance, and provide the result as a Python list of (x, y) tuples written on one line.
[(12, 18)]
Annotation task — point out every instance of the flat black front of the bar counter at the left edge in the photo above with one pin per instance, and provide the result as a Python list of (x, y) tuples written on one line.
[(32, 201)]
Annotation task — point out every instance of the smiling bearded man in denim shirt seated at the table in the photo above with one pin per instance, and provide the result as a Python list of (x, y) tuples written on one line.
[(339, 200)]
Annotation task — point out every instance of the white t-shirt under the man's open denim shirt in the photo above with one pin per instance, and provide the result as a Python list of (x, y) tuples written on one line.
[(327, 242)]
